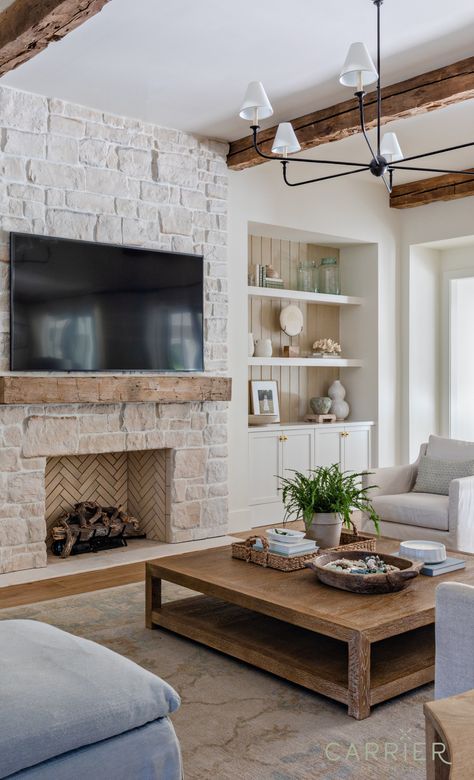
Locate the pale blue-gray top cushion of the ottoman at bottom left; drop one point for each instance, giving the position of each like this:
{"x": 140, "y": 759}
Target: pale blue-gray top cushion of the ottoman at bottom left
{"x": 60, "y": 692}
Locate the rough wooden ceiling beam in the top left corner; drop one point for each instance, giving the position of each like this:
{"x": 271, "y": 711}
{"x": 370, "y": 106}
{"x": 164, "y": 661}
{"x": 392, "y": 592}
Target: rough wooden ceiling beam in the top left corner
{"x": 29, "y": 26}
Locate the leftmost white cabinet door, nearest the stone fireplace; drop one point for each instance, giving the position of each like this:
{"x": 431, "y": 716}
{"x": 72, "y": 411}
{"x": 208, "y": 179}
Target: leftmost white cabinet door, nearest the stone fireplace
{"x": 264, "y": 466}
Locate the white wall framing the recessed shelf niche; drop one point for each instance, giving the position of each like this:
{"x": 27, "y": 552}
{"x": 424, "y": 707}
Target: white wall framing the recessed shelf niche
{"x": 358, "y": 210}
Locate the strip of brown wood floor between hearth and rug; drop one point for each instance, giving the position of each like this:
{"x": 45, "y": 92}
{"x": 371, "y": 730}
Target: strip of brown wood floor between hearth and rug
{"x": 70, "y": 585}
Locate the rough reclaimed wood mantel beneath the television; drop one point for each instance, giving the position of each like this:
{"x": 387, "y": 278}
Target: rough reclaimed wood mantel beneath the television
{"x": 106, "y": 389}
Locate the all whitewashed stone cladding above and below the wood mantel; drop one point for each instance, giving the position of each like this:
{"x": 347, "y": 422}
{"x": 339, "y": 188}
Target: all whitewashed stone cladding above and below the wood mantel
{"x": 75, "y": 172}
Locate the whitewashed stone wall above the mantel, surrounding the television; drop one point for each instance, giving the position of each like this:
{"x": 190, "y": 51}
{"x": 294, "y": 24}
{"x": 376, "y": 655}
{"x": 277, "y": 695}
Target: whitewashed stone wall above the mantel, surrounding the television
{"x": 71, "y": 171}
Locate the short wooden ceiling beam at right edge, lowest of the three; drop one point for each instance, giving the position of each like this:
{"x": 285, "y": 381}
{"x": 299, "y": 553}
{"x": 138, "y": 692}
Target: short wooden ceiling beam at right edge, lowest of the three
{"x": 451, "y": 186}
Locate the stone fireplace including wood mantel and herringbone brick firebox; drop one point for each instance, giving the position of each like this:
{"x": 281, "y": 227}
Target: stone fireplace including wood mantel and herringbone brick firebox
{"x": 166, "y": 459}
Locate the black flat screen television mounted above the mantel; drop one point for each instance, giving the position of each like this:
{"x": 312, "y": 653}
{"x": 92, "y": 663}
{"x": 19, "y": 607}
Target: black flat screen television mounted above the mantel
{"x": 80, "y": 306}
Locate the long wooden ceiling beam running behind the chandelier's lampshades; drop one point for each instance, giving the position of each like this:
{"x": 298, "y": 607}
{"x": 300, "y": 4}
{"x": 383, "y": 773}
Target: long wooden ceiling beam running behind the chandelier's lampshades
{"x": 427, "y": 92}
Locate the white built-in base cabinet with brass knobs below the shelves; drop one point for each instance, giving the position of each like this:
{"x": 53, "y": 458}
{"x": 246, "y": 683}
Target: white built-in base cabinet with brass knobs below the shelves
{"x": 277, "y": 450}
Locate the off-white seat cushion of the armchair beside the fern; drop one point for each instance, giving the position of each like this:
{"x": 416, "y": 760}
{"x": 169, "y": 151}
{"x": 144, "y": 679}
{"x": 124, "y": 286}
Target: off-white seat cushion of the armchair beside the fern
{"x": 418, "y": 509}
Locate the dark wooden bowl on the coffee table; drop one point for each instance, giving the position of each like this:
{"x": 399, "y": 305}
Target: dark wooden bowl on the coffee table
{"x": 366, "y": 583}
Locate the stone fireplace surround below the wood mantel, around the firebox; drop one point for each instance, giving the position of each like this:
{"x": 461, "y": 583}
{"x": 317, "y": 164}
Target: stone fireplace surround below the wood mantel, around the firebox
{"x": 194, "y": 433}
